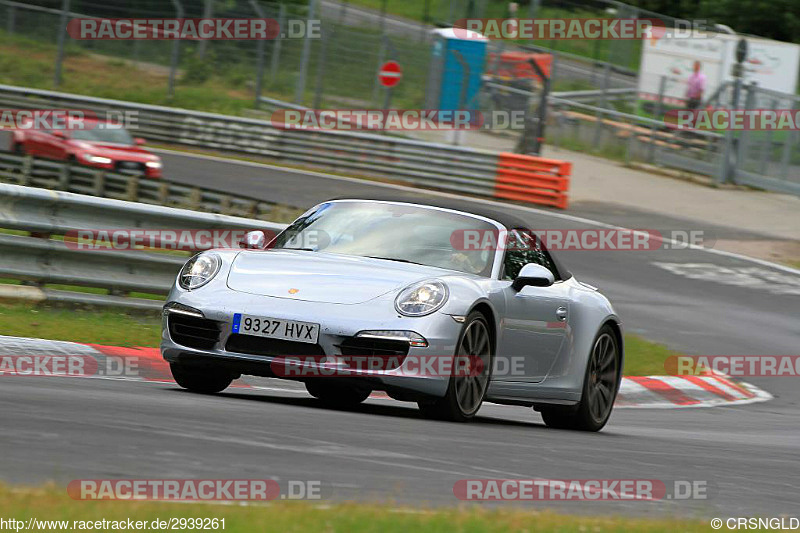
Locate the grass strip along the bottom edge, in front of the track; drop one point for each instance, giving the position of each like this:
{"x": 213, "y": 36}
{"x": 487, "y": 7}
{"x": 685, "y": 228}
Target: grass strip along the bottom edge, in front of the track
{"x": 52, "y": 503}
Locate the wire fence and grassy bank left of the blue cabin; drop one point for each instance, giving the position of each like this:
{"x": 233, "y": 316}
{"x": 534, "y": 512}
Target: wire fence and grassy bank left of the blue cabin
{"x": 334, "y": 67}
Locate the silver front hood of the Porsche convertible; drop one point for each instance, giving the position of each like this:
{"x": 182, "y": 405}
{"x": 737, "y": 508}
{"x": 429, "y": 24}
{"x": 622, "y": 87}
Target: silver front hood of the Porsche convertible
{"x": 322, "y": 277}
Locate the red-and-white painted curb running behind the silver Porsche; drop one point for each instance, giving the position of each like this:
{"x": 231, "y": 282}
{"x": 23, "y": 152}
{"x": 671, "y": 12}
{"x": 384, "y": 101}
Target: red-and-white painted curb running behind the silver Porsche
{"x": 653, "y": 392}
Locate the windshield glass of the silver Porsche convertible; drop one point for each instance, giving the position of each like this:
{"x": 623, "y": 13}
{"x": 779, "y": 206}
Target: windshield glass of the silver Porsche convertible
{"x": 404, "y": 233}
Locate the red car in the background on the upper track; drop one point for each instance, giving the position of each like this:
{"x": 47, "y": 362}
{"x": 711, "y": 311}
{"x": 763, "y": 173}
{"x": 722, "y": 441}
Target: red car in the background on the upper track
{"x": 98, "y": 145}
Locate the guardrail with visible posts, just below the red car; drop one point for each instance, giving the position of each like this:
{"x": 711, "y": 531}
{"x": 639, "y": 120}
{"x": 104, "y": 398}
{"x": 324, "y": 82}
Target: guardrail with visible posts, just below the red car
{"x": 34, "y": 172}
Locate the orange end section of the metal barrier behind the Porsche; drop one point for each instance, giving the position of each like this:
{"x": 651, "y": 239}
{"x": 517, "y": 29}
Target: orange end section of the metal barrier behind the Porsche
{"x": 532, "y": 179}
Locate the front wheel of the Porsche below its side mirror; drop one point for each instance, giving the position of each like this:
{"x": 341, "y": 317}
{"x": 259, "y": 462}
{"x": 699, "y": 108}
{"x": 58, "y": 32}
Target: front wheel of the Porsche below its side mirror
{"x": 465, "y": 393}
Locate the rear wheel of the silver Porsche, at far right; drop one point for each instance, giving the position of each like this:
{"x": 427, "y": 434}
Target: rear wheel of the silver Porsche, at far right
{"x": 600, "y": 385}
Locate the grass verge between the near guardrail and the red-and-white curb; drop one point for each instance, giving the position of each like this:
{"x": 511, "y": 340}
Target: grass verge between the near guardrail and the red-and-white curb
{"x": 642, "y": 357}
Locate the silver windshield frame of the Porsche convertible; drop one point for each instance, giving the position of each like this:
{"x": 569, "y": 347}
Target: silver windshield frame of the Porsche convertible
{"x": 495, "y": 260}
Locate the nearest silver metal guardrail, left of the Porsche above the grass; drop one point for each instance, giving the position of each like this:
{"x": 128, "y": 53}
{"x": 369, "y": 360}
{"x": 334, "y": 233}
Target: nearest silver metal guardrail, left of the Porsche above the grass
{"x": 42, "y": 259}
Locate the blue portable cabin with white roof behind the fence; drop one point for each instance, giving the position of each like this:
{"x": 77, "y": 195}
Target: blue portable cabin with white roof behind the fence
{"x": 447, "y": 75}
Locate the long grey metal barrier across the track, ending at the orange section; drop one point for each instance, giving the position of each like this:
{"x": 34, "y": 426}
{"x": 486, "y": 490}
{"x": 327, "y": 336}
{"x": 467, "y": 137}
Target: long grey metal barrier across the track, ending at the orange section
{"x": 438, "y": 166}
